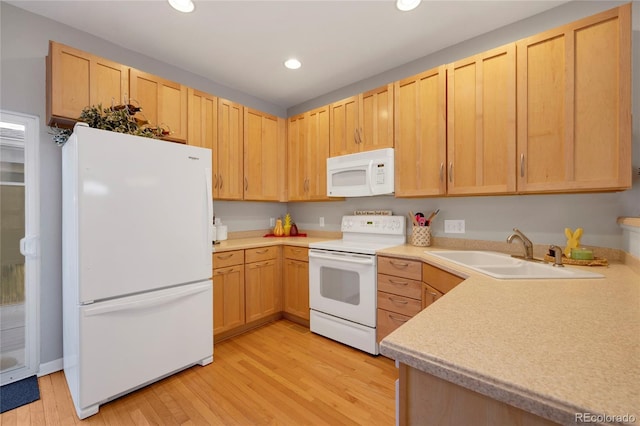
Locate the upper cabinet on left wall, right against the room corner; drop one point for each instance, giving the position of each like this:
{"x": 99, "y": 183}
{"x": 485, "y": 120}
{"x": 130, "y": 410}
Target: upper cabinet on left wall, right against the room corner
{"x": 264, "y": 156}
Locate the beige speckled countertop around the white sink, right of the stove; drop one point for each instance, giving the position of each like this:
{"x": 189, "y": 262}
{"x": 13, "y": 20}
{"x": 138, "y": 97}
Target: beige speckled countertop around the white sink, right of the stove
{"x": 551, "y": 347}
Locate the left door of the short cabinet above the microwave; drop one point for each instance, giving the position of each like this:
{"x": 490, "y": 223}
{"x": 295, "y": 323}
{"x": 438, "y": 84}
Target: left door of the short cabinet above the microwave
{"x": 345, "y": 129}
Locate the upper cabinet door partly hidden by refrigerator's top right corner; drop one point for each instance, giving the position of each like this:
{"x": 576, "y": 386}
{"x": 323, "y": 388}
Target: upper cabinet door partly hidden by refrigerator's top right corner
{"x": 203, "y": 127}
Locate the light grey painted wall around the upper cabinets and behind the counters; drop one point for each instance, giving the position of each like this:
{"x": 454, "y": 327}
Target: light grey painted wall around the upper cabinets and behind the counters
{"x": 23, "y": 46}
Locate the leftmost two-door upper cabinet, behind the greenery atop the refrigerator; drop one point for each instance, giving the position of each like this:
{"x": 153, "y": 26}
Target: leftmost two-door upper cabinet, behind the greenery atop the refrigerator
{"x": 76, "y": 79}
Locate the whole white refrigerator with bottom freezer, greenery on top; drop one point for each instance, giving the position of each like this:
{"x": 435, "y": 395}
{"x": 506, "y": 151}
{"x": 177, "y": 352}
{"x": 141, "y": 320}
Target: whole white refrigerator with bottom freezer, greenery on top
{"x": 137, "y": 290}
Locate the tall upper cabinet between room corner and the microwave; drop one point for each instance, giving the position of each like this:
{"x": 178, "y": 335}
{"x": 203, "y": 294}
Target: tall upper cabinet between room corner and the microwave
{"x": 308, "y": 150}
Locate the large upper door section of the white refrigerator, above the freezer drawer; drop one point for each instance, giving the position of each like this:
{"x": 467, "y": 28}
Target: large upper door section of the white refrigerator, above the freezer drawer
{"x": 139, "y": 214}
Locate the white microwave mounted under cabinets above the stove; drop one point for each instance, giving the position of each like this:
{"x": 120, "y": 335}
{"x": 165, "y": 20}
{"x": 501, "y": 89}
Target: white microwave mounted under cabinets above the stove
{"x": 362, "y": 174}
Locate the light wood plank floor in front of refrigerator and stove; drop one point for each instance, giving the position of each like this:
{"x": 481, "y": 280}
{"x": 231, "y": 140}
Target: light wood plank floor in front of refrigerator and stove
{"x": 279, "y": 374}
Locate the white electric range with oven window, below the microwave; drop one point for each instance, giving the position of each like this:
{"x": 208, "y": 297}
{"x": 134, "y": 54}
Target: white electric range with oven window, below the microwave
{"x": 343, "y": 279}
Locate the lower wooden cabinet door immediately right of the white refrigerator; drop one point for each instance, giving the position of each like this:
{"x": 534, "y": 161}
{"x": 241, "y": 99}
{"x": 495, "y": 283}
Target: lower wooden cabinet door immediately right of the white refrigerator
{"x": 228, "y": 298}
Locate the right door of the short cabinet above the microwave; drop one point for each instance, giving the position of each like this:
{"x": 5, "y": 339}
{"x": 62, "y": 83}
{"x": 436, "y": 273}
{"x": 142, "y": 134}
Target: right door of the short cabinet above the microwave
{"x": 376, "y": 119}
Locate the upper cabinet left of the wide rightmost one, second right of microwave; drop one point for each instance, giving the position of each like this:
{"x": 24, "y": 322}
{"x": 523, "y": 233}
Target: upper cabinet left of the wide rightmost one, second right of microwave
{"x": 481, "y": 122}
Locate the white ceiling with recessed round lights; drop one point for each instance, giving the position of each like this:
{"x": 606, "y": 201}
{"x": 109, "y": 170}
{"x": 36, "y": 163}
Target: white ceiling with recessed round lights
{"x": 242, "y": 44}
